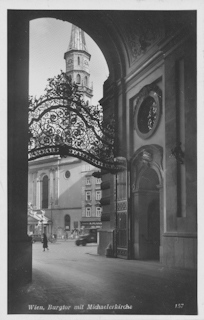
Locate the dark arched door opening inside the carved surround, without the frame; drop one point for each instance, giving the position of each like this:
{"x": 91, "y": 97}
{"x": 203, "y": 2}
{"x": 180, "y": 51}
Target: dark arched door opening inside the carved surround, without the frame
{"x": 146, "y": 216}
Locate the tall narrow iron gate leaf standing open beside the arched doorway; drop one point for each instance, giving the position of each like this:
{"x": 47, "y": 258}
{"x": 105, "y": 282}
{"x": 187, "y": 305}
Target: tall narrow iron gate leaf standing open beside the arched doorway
{"x": 121, "y": 208}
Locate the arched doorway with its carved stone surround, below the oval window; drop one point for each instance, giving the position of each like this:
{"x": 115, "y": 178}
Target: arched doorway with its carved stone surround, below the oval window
{"x": 147, "y": 204}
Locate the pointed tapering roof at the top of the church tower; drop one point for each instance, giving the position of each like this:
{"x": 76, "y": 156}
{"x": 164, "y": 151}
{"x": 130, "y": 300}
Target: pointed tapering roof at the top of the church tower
{"x": 77, "y": 39}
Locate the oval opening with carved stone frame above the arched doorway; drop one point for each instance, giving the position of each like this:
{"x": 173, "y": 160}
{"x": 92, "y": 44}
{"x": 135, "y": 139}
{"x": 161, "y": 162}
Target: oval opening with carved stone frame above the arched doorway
{"x": 147, "y": 111}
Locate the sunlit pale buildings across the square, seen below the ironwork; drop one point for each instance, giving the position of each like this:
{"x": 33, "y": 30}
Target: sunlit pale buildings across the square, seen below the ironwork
{"x": 67, "y": 194}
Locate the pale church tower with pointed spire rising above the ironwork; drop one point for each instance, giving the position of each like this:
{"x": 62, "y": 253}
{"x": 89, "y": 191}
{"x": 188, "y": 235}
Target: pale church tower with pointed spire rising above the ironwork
{"x": 77, "y": 60}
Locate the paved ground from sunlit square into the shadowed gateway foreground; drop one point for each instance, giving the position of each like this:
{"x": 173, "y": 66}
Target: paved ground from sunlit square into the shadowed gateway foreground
{"x": 75, "y": 280}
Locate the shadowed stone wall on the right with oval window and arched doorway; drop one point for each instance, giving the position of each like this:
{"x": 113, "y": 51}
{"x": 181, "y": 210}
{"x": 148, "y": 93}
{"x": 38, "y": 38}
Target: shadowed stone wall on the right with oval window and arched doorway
{"x": 150, "y": 210}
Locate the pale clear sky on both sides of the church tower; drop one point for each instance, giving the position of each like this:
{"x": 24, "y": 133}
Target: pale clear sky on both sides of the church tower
{"x": 49, "y": 39}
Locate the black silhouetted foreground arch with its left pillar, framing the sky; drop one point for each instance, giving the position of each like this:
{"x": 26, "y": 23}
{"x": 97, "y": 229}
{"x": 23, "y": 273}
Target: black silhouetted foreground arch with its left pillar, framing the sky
{"x": 20, "y": 246}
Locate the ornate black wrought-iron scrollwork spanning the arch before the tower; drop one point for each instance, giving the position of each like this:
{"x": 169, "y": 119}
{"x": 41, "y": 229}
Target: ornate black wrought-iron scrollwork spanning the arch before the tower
{"x": 61, "y": 123}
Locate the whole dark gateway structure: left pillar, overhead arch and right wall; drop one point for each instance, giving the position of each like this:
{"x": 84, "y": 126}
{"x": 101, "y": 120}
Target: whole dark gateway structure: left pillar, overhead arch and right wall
{"x": 149, "y": 210}
